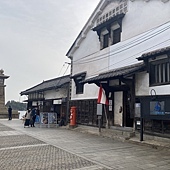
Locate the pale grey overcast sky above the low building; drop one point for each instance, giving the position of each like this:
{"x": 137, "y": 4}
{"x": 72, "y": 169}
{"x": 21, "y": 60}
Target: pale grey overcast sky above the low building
{"x": 35, "y": 36}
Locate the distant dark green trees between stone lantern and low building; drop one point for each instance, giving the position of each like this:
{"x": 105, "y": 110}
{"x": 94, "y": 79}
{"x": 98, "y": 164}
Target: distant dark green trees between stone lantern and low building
{"x": 17, "y": 105}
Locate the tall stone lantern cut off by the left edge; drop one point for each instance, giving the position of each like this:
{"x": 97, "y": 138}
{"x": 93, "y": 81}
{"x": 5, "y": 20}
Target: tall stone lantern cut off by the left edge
{"x": 3, "y": 109}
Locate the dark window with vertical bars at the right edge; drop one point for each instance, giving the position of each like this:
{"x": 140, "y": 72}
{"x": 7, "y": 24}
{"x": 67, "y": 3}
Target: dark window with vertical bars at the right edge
{"x": 159, "y": 72}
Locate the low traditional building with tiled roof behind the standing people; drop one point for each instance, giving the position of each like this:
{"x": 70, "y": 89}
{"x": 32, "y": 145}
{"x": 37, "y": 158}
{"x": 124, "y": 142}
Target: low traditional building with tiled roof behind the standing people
{"x": 50, "y": 95}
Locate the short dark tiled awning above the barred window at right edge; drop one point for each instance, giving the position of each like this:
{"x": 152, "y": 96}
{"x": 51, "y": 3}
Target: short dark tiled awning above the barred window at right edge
{"x": 155, "y": 52}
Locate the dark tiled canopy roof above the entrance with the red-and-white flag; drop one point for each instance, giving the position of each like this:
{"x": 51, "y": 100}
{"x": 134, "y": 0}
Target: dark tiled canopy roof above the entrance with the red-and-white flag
{"x": 123, "y": 71}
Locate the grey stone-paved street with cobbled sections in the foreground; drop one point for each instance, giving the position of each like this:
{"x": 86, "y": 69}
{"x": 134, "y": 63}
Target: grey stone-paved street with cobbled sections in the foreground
{"x": 62, "y": 149}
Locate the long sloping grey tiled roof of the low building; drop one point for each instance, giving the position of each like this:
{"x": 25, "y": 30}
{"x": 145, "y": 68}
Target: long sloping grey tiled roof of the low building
{"x": 47, "y": 85}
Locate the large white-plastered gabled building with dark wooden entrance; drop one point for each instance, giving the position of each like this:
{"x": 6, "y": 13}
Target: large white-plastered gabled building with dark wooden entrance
{"x": 106, "y": 51}
